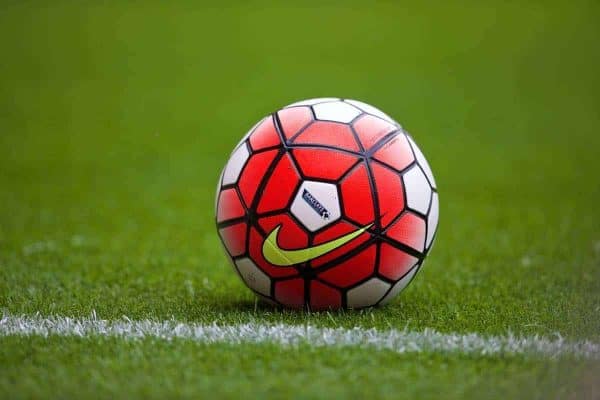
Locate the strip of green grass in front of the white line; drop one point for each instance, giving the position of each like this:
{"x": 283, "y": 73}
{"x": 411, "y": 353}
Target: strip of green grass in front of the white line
{"x": 115, "y": 368}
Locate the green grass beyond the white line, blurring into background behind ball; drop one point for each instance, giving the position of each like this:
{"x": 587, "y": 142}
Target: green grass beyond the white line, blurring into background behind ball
{"x": 116, "y": 118}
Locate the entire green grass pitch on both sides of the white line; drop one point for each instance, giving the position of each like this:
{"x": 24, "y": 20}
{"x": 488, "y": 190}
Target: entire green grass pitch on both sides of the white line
{"x": 116, "y": 118}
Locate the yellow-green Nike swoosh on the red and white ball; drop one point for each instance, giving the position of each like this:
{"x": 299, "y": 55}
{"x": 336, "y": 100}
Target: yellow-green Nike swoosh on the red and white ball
{"x": 284, "y": 258}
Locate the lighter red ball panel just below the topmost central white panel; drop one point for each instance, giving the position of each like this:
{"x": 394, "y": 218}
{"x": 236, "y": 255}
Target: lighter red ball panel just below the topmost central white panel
{"x": 328, "y": 133}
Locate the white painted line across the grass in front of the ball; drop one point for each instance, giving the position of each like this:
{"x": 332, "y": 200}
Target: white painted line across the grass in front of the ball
{"x": 401, "y": 341}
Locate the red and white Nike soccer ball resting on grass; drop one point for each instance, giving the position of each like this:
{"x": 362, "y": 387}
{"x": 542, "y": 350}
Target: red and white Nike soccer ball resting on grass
{"x": 327, "y": 203}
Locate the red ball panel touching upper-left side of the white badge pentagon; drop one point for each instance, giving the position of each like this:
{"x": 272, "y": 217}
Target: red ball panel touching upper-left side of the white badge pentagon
{"x": 280, "y": 187}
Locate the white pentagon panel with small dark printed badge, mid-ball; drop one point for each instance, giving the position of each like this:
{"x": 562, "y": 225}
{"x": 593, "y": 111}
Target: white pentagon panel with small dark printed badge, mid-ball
{"x": 316, "y": 204}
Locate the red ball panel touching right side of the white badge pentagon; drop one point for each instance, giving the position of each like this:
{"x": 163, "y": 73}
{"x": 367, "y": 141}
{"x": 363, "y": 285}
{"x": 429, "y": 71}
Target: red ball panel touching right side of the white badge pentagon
{"x": 357, "y": 198}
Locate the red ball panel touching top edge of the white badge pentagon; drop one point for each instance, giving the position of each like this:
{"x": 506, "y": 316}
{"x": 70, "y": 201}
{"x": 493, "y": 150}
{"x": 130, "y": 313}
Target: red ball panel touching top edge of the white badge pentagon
{"x": 323, "y": 163}
